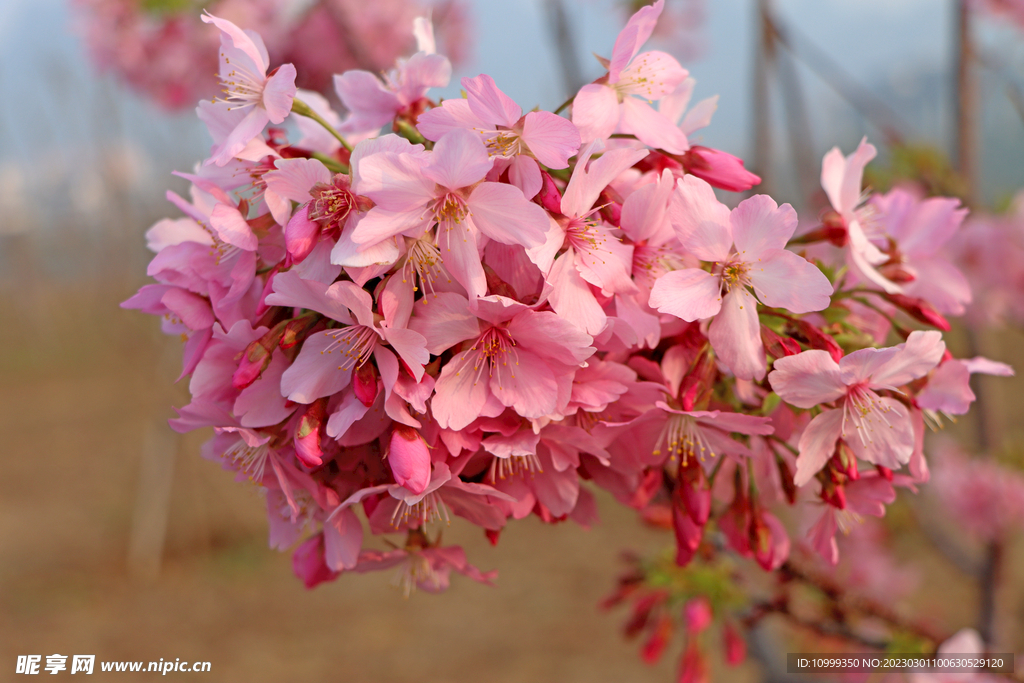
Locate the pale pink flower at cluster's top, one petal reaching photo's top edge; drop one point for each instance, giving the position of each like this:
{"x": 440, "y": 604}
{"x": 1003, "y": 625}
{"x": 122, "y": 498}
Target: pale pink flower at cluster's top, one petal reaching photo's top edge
{"x": 618, "y": 103}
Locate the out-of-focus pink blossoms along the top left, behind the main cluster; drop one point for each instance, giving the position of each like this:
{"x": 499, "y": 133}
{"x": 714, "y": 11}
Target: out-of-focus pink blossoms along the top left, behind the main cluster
{"x": 160, "y": 48}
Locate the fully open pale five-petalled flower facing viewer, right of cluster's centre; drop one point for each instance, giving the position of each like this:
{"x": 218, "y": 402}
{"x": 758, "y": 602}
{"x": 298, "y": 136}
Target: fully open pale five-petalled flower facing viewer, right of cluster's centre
{"x": 747, "y": 248}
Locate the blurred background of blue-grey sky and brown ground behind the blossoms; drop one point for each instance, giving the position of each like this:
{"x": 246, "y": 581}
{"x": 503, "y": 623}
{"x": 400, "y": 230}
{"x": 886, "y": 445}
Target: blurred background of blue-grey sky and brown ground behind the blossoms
{"x": 117, "y": 540}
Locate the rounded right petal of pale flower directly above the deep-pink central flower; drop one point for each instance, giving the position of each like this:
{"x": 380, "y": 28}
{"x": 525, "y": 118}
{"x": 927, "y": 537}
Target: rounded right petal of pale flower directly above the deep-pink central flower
{"x": 502, "y": 214}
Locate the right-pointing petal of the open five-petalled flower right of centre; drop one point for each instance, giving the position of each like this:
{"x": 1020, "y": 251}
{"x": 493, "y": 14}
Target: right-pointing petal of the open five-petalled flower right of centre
{"x": 782, "y": 279}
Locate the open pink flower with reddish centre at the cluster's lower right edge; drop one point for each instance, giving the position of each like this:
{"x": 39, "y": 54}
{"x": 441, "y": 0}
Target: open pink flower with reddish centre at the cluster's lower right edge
{"x": 878, "y": 430}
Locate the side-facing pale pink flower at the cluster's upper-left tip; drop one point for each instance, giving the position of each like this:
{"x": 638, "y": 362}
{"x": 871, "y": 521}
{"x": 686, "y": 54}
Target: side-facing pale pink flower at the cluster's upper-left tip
{"x": 244, "y": 64}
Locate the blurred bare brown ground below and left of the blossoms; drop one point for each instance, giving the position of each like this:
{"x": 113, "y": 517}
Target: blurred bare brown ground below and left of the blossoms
{"x": 84, "y": 386}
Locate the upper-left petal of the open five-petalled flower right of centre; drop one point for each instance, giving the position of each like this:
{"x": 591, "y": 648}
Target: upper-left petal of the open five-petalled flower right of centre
{"x": 701, "y": 222}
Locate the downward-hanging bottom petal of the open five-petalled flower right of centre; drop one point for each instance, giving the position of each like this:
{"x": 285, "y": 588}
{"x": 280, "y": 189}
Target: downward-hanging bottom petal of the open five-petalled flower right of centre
{"x": 736, "y": 336}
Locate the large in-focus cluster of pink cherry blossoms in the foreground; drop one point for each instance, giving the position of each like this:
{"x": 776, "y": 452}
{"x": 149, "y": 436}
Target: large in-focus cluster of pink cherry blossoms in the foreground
{"x": 480, "y": 311}
